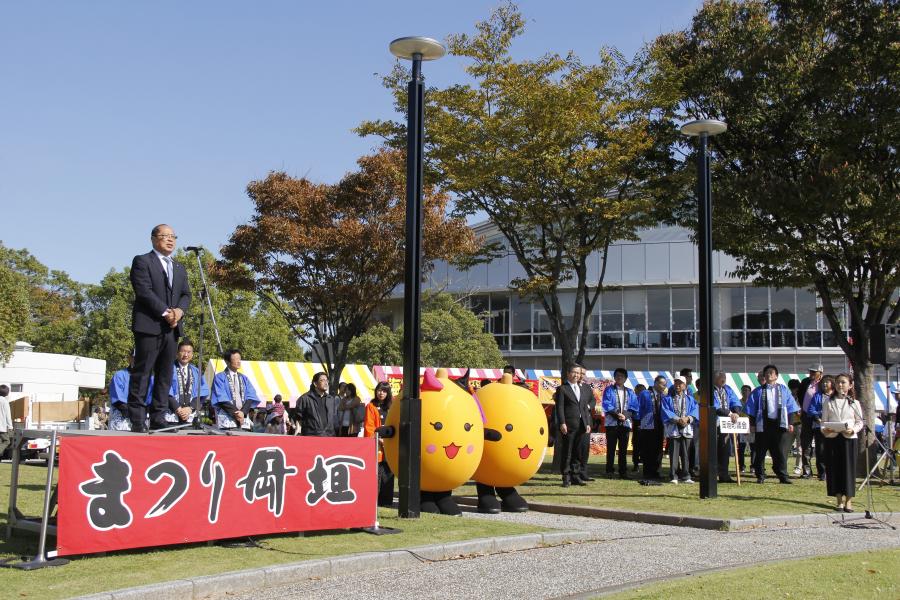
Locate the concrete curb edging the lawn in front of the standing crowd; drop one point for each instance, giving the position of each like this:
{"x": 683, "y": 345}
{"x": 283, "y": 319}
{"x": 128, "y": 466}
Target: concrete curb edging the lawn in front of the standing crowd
{"x": 801, "y": 520}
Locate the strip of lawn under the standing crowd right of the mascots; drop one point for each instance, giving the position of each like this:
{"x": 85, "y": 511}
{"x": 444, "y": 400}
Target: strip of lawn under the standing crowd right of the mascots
{"x": 749, "y": 500}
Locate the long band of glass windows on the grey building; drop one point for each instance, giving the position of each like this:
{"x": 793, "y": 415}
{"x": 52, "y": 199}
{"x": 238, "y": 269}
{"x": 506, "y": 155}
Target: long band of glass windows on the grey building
{"x": 655, "y": 318}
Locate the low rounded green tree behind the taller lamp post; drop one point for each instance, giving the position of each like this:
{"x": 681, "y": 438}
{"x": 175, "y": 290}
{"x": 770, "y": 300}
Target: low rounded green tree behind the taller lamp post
{"x": 452, "y": 336}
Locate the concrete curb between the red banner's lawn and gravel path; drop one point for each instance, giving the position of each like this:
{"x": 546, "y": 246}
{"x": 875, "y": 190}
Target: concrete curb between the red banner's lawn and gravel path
{"x": 223, "y": 584}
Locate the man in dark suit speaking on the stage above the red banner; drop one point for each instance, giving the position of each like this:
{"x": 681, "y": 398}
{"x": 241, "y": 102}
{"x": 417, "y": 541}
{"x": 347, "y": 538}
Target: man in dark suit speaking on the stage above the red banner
{"x": 161, "y": 297}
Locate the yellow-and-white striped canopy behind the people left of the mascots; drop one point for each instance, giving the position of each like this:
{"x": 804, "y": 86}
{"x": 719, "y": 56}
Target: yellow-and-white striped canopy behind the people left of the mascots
{"x": 292, "y": 380}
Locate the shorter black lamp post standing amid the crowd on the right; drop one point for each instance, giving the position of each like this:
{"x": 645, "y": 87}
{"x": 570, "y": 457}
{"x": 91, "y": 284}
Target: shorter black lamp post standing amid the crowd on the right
{"x": 704, "y": 129}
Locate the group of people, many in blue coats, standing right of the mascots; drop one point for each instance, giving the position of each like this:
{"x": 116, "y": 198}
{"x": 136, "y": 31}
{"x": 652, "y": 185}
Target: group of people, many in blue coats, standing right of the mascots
{"x": 818, "y": 417}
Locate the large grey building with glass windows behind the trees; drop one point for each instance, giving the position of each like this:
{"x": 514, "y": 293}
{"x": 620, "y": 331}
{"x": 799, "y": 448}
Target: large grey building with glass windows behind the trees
{"x": 646, "y": 317}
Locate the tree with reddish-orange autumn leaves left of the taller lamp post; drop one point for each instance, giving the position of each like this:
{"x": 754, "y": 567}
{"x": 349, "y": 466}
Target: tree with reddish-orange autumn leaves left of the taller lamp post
{"x": 326, "y": 256}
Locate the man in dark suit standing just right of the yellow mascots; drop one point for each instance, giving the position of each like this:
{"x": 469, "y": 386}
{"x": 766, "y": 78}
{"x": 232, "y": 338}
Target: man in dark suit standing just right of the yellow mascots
{"x": 573, "y": 419}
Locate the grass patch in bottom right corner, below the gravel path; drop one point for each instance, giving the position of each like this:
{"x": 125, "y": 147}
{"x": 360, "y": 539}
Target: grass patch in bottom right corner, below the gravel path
{"x": 872, "y": 574}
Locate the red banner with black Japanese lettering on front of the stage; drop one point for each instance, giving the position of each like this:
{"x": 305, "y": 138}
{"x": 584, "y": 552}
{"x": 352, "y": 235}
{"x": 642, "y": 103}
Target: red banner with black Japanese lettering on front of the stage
{"x": 118, "y": 492}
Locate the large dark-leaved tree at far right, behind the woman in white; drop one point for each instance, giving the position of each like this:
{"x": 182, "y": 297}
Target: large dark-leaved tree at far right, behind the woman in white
{"x": 806, "y": 177}
